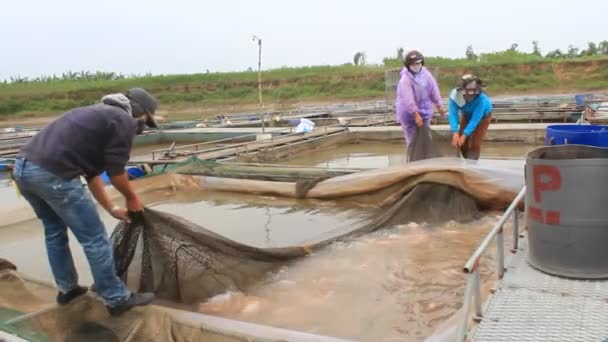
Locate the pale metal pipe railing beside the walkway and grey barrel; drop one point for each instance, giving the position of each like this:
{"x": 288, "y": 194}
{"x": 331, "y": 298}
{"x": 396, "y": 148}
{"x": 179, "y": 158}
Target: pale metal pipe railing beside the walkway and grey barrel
{"x": 471, "y": 268}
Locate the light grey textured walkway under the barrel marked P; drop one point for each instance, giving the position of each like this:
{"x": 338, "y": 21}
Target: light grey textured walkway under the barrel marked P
{"x": 529, "y": 305}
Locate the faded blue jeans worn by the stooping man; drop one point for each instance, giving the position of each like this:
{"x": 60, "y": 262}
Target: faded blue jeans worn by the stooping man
{"x": 60, "y": 204}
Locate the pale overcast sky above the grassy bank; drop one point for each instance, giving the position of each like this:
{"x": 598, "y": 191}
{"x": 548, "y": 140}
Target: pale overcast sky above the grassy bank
{"x": 188, "y": 36}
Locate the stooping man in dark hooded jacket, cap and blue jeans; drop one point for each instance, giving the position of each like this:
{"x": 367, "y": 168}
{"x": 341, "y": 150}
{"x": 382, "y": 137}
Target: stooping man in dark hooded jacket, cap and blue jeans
{"x": 85, "y": 141}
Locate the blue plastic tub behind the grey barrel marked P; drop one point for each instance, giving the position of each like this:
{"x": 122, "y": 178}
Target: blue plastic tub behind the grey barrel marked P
{"x": 591, "y": 135}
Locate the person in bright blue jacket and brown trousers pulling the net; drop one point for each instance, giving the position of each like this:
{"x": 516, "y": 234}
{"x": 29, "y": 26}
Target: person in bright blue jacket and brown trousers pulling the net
{"x": 469, "y": 129}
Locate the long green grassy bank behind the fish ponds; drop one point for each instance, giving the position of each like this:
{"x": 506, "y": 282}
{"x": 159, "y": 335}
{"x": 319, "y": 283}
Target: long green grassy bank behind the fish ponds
{"x": 504, "y": 75}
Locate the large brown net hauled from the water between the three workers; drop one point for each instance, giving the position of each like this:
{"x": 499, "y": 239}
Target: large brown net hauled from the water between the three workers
{"x": 184, "y": 262}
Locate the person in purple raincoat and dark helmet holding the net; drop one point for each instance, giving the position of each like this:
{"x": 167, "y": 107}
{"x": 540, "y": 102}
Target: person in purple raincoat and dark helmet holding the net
{"x": 417, "y": 92}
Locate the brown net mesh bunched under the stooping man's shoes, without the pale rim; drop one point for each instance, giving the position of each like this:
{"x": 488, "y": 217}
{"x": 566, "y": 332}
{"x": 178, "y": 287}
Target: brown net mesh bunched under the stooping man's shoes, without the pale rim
{"x": 27, "y": 312}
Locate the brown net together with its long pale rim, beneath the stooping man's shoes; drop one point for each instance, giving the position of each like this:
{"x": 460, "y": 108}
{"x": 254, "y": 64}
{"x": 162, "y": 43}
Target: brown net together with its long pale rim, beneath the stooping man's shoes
{"x": 28, "y": 312}
